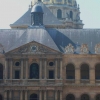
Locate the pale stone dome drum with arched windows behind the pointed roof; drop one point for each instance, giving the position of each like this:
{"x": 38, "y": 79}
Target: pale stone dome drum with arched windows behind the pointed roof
{"x": 67, "y": 12}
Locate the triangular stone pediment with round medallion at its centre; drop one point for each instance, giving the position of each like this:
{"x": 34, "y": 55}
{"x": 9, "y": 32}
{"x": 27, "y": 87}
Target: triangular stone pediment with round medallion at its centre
{"x": 34, "y": 48}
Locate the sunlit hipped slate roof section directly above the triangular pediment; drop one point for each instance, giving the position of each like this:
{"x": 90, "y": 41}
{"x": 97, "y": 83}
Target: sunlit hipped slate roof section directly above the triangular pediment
{"x": 39, "y": 35}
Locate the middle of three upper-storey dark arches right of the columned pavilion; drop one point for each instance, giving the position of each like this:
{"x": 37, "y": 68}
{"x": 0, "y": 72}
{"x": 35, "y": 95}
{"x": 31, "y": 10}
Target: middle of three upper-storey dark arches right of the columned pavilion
{"x": 84, "y": 71}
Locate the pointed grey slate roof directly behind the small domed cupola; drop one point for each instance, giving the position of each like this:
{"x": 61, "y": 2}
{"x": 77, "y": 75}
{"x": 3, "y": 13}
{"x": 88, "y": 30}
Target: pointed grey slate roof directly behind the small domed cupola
{"x": 48, "y": 17}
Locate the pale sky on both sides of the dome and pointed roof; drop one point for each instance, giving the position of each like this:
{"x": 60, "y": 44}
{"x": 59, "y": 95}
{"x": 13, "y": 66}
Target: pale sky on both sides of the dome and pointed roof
{"x": 11, "y": 10}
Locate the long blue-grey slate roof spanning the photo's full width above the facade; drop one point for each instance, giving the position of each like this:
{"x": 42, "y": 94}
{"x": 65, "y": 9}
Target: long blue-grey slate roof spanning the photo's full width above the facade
{"x": 56, "y": 39}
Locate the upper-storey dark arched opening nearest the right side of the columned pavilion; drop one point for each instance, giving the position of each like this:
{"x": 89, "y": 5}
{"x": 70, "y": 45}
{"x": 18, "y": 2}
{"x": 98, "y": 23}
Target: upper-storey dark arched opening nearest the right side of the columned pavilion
{"x": 70, "y": 71}
